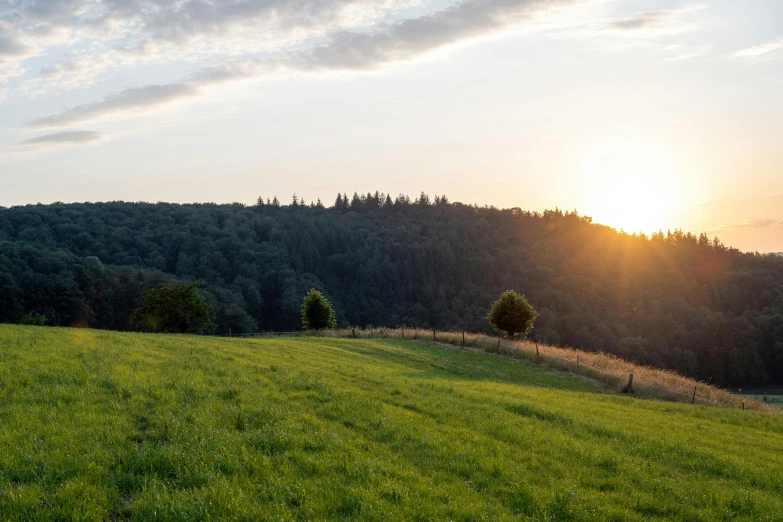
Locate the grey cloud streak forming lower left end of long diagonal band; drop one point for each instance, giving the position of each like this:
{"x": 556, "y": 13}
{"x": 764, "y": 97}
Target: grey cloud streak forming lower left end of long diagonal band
{"x": 127, "y": 101}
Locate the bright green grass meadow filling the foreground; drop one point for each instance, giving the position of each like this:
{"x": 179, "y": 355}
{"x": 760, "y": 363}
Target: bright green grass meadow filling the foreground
{"x": 106, "y": 426}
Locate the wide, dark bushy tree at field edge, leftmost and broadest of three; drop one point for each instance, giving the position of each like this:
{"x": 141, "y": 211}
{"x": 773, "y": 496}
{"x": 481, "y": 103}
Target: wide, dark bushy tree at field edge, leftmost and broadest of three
{"x": 175, "y": 308}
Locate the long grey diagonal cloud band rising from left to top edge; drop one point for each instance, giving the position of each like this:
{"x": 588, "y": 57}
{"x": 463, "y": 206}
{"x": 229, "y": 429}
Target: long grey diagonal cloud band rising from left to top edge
{"x": 345, "y": 50}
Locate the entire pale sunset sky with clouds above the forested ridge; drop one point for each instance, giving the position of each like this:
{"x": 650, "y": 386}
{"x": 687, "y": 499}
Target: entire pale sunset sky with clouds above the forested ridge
{"x": 644, "y": 115}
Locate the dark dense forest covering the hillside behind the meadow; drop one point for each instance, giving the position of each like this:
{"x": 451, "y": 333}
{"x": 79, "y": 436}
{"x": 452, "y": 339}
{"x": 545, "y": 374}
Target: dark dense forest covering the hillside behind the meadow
{"x": 672, "y": 300}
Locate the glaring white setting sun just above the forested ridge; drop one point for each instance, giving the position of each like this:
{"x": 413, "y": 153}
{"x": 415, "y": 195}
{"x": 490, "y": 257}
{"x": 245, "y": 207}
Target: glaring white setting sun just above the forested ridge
{"x": 631, "y": 186}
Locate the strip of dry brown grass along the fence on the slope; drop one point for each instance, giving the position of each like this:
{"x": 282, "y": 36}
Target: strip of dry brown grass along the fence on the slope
{"x": 609, "y": 370}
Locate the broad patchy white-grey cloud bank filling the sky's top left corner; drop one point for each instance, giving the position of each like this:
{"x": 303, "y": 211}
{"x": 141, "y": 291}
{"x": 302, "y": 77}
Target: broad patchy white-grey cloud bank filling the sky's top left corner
{"x": 100, "y": 35}
